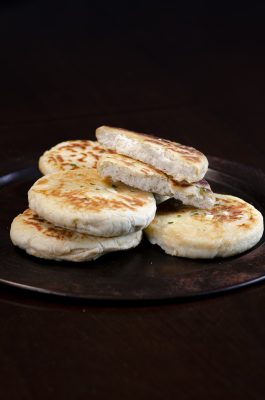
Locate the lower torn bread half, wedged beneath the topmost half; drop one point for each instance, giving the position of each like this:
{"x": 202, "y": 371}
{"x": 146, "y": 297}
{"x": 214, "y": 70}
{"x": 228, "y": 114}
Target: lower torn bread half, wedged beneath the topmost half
{"x": 144, "y": 177}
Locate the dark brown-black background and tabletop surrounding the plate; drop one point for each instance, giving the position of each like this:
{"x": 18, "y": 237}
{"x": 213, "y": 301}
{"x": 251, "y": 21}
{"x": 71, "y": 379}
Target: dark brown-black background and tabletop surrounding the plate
{"x": 188, "y": 71}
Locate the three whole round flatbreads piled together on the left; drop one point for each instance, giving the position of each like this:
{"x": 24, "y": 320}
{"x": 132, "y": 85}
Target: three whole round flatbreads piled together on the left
{"x": 74, "y": 214}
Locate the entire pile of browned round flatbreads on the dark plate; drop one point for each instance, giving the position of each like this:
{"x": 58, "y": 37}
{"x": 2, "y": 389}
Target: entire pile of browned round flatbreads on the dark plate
{"x": 98, "y": 196}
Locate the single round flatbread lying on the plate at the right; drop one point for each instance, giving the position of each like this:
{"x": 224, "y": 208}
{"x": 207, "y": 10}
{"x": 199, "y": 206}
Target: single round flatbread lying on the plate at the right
{"x": 231, "y": 227}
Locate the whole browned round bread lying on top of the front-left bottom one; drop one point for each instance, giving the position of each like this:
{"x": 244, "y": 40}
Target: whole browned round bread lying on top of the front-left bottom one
{"x": 83, "y": 201}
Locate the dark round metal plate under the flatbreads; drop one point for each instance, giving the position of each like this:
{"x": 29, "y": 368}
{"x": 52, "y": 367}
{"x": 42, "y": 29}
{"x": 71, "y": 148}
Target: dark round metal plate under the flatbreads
{"x": 144, "y": 273}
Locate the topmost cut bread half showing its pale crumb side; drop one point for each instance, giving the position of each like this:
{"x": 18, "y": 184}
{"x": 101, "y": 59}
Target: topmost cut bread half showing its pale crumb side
{"x": 180, "y": 162}
